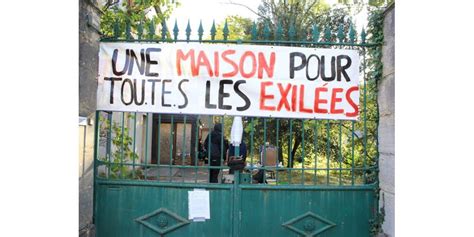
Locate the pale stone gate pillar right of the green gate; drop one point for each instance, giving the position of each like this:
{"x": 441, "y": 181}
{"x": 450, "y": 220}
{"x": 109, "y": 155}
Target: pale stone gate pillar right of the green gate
{"x": 386, "y": 100}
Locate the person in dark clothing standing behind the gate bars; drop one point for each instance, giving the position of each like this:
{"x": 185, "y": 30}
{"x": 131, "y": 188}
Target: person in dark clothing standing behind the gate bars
{"x": 215, "y": 151}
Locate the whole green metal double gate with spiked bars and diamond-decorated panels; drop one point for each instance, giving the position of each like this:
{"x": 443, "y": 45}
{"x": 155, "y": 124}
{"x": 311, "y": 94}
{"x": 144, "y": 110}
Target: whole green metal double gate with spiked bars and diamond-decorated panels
{"x": 146, "y": 163}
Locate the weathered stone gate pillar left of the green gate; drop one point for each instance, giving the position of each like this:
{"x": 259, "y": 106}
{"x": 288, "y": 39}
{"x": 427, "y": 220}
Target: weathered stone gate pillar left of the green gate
{"x": 89, "y": 18}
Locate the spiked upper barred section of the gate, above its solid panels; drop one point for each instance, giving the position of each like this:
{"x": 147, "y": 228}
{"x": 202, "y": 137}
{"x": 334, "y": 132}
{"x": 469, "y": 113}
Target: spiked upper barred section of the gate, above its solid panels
{"x": 168, "y": 147}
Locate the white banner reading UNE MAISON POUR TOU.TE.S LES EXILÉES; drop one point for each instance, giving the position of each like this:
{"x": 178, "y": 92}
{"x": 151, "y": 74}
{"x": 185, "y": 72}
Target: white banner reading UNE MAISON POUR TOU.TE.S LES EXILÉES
{"x": 218, "y": 79}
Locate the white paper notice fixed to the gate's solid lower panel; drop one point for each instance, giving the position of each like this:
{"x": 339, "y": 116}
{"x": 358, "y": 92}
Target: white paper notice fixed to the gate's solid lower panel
{"x": 198, "y": 203}
